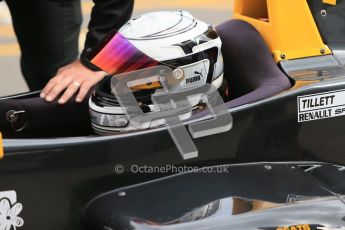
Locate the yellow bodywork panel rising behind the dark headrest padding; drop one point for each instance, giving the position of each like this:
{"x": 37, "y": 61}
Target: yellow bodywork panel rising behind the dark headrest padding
{"x": 287, "y": 26}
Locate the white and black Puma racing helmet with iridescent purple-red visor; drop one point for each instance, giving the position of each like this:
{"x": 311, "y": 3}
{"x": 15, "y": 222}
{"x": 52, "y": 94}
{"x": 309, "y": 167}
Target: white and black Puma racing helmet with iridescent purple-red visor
{"x": 175, "y": 40}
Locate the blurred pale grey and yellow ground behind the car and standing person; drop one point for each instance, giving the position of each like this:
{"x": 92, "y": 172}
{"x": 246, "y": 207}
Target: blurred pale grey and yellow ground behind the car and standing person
{"x": 11, "y": 80}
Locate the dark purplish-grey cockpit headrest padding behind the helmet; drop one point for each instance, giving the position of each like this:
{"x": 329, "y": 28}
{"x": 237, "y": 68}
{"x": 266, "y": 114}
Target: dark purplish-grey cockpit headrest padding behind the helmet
{"x": 250, "y": 69}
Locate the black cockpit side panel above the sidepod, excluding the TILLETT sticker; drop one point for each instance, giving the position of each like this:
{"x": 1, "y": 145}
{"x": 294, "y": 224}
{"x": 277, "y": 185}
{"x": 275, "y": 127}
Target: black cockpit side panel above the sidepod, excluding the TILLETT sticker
{"x": 62, "y": 175}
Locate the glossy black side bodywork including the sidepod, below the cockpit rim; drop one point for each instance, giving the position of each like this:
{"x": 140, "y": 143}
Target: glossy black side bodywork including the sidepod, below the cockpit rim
{"x": 76, "y": 183}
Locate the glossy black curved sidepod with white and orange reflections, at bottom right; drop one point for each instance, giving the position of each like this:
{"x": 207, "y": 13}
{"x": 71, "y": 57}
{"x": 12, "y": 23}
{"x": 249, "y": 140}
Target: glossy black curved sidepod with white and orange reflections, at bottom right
{"x": 224, "y": 197}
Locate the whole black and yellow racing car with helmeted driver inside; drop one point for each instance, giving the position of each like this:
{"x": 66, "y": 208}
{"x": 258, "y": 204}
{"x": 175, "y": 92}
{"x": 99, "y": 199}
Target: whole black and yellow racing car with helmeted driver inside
{"x": 281, "y": 83}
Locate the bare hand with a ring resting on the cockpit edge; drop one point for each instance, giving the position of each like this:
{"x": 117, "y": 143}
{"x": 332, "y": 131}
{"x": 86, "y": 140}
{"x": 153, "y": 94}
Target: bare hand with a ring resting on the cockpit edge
{"x": 73, "y": 78}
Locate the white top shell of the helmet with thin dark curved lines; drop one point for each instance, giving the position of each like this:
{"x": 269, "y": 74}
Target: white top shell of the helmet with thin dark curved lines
{"x": 160, "y": 41}
